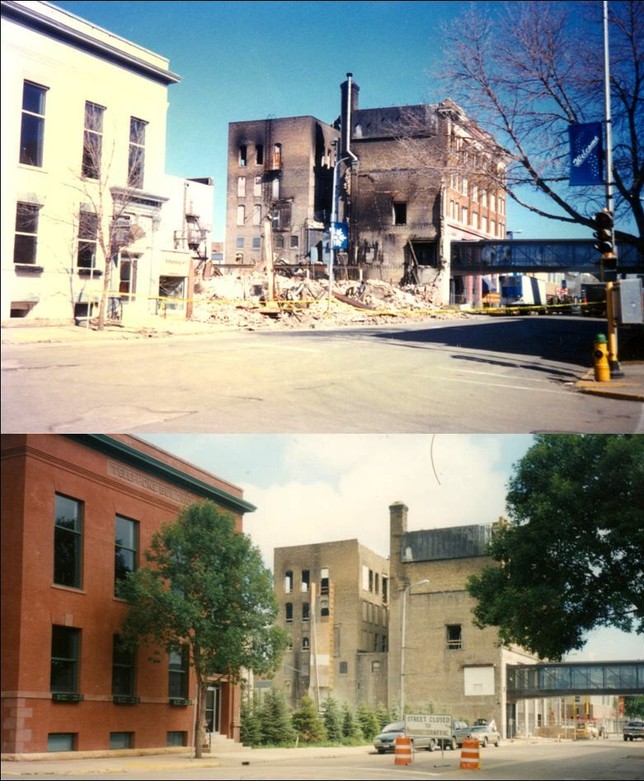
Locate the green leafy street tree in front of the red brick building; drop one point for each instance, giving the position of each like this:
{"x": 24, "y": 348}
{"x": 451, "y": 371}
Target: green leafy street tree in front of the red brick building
{"x": 205, "y": 590}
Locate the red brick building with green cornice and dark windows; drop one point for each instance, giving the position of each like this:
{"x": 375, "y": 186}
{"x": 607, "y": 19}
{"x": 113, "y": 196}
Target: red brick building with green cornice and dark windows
{"x": 78, "y": 512}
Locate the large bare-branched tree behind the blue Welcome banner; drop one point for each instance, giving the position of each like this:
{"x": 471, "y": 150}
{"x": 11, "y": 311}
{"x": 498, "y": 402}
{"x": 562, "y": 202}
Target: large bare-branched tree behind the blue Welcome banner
{"x": 526, "y": 72}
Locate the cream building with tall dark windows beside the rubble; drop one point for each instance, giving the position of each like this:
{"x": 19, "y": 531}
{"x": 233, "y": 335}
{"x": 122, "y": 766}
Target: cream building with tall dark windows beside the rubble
{"x": 83, "y": 179}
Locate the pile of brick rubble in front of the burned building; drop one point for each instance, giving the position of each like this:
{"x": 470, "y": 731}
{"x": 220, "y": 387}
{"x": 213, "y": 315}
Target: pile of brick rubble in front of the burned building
{"x": 244, "y": 301}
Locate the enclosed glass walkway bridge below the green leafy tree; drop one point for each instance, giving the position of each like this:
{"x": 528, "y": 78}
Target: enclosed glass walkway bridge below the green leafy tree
{"x": 574, "y": 678}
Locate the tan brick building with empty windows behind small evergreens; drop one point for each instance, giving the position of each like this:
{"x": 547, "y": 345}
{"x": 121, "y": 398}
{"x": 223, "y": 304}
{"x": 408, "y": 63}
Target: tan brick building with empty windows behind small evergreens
{"x": 334, "y": 603}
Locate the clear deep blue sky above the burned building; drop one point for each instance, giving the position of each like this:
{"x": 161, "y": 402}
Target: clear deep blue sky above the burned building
{"x": 253, "y": 60}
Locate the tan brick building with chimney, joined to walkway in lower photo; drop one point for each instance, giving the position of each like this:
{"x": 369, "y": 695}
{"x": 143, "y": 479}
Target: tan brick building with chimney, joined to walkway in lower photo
{"x": 447, "y": 663}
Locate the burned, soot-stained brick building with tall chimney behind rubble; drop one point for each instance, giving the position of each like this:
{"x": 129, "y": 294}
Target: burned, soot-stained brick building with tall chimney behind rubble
{"x": 403, "y": 181}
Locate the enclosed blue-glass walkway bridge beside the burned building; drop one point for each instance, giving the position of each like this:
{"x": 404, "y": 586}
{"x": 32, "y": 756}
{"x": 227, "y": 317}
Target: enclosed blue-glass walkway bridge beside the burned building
{"x": 537, "y": 255}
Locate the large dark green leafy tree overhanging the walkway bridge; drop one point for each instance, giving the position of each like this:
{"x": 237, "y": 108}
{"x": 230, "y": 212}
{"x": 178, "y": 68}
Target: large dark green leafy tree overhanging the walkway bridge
{"x": 570, "y": 559}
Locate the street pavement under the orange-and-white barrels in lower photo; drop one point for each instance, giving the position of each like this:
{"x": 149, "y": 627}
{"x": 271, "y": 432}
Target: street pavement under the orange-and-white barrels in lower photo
{"x": 523, "y": 760}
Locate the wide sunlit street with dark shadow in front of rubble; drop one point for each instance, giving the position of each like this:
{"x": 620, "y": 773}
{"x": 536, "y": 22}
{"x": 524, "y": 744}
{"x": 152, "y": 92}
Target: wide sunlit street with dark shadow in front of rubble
{"x": 506, "y": 375}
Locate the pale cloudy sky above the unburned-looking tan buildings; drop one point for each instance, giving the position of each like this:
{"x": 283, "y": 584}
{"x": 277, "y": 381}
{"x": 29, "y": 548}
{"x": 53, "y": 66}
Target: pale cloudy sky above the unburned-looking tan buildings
{"x": 321, "y": 488}
